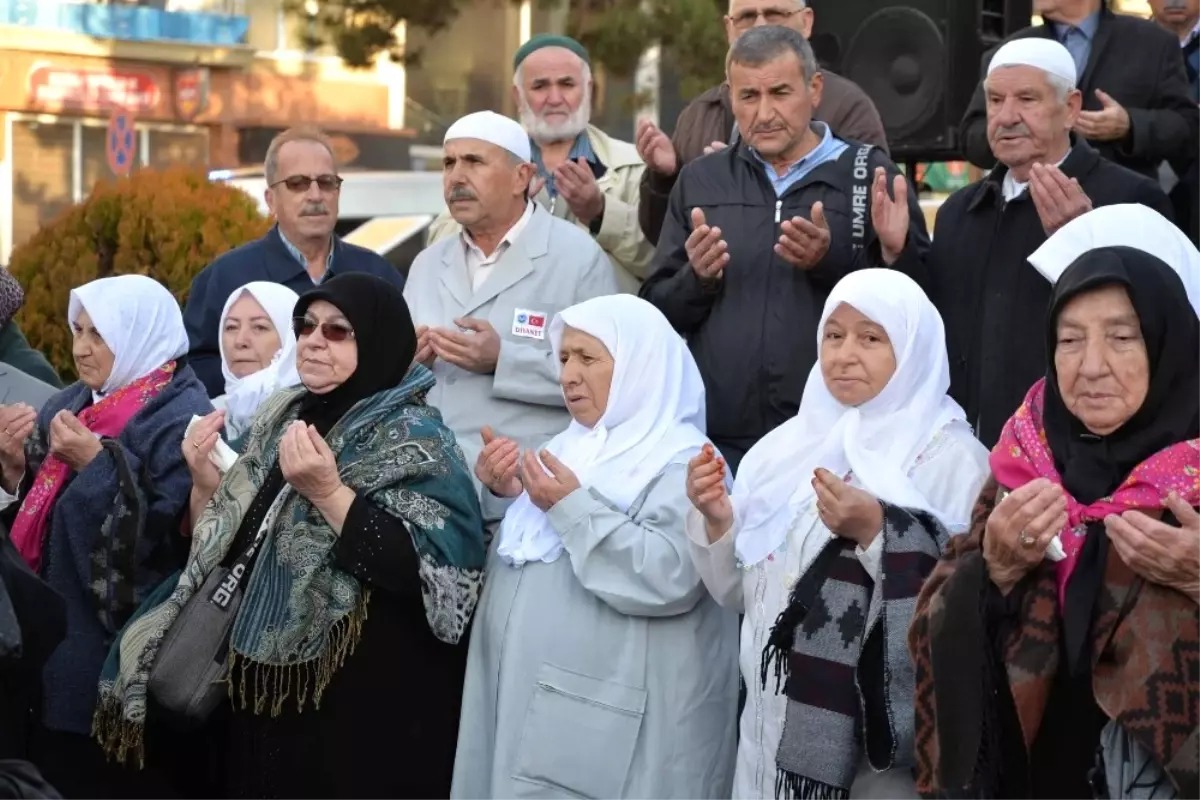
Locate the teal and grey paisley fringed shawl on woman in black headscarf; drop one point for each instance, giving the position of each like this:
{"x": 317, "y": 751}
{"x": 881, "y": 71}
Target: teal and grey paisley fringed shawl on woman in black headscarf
{"x": 302, "y": 616}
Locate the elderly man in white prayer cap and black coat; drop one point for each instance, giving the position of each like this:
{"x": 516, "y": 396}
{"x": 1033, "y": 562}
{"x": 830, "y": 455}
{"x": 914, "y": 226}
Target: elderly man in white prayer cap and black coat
{"x": 991, "y": 298}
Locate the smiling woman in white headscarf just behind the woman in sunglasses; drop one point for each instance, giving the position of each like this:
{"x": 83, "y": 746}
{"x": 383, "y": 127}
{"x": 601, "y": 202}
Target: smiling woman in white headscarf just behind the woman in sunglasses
{"x": 259, "y": 352}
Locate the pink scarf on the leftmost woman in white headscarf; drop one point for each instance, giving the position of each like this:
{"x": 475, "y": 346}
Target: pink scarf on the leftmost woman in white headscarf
{"x": 105, "y": 419}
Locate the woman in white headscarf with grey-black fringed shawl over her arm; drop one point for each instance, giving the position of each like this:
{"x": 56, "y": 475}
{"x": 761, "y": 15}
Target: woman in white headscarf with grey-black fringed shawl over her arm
{"x": 859, "y": 492}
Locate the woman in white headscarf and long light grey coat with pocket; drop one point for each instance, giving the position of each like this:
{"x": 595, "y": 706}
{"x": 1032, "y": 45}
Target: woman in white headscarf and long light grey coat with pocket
{"x": 599, "y": 666}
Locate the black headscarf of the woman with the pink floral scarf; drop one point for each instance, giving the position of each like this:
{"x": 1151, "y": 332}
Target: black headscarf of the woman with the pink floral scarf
{"x": 1095, "y": 466}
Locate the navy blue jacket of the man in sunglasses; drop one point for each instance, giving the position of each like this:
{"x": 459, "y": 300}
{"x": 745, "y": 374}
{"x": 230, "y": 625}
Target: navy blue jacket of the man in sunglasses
{"x": 266, "y": 260}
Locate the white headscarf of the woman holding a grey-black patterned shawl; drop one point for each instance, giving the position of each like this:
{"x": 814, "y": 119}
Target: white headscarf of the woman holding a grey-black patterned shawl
{"x": 879, "y": 442}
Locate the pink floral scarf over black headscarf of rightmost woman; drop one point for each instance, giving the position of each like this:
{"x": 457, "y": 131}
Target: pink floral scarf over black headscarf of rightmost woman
{"x": 1023, "y": 455}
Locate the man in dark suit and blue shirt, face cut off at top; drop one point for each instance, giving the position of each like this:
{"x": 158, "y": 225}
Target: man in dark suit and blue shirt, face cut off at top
{"x": 1138, "y": 111}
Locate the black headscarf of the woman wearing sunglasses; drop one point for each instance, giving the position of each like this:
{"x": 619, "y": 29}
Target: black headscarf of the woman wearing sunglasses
{"x": 383, "y": 332}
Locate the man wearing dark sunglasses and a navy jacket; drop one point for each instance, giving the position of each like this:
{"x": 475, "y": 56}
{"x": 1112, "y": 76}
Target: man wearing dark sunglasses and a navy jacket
{"x": 301, "y": 251}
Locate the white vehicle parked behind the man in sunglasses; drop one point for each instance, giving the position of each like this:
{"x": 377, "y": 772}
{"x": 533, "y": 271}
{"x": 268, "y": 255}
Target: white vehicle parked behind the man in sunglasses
{"x": 386, "y": 212}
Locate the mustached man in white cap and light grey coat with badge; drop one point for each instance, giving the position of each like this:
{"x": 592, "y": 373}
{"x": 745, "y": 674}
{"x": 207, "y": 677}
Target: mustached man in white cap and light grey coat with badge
{"x": 484, "y": 298}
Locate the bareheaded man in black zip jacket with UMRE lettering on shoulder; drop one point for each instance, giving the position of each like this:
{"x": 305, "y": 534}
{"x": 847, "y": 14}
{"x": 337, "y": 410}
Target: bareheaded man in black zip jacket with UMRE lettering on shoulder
{"x": 758, "y": 234}
